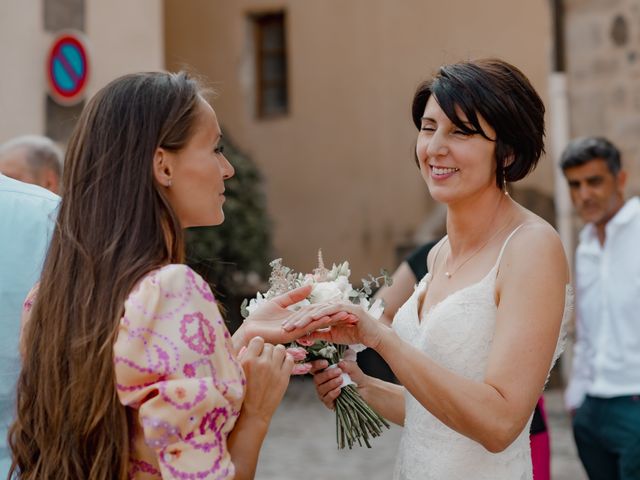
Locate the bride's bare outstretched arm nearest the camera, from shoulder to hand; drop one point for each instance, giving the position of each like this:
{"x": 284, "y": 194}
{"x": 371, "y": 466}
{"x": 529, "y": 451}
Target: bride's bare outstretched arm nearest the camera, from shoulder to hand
{"x": 531, "y": 290}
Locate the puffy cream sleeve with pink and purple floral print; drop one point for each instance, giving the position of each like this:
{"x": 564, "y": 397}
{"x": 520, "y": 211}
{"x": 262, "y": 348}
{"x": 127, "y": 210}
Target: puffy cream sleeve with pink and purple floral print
{"x": 177, "y": 374}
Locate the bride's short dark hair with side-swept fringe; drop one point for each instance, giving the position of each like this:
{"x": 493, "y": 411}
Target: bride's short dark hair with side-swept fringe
{"x": 504, "y": 97}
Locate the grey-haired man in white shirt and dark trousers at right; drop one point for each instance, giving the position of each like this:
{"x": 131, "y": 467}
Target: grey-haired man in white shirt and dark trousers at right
{"x": 604, "y": 386}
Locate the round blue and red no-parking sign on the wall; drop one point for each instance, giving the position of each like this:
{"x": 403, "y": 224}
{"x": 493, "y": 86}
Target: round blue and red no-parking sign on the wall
{"x": 68, "y": 68}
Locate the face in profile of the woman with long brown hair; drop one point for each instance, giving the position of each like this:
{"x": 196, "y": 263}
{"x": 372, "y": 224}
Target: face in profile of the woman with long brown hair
{"x": 199, "y": 169}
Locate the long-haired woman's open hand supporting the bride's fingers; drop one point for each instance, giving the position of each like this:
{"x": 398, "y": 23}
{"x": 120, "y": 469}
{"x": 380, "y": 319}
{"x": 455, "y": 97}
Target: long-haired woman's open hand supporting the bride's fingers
{"x": 267, "y": 319}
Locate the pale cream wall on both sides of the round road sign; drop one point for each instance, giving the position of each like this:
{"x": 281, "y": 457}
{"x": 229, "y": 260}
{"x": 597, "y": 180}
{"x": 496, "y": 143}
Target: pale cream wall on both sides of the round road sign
{"x": 122, "y": 37}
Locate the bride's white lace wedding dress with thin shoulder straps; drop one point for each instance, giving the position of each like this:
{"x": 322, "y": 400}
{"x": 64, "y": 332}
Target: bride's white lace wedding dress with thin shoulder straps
{"x": 458, "y": 335}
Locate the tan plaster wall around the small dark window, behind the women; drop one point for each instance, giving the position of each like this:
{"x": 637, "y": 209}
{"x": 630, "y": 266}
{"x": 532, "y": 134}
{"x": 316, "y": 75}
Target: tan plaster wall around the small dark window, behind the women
{"x": 339, "y": 167}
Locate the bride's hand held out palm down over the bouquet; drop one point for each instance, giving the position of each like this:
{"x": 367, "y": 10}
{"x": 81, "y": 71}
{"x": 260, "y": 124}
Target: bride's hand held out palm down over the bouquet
{"x": 354, "y": 325}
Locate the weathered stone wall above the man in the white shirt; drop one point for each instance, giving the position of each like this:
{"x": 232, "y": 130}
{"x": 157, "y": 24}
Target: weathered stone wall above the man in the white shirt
{"x": 603, "y": 66}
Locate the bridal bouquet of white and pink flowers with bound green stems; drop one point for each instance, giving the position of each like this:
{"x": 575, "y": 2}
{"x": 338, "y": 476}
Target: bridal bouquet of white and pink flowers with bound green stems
{"x": 356, "y": 421}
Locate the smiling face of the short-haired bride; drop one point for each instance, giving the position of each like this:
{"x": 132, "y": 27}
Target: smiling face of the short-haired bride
{"x": 454, "y": 164}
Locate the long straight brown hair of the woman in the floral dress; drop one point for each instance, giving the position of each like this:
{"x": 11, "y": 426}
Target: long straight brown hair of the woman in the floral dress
{"x": 114, "y": 226}
